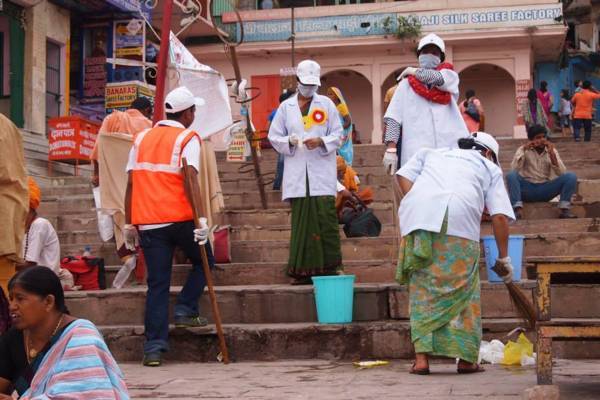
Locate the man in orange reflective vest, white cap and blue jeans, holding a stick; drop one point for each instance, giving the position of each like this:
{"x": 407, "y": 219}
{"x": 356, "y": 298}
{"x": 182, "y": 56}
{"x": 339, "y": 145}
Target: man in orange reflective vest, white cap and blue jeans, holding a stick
{"x": 158, "y": 205}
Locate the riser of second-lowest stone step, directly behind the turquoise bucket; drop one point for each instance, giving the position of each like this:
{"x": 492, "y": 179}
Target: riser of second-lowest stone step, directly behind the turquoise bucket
{"x": 264, "y": 304}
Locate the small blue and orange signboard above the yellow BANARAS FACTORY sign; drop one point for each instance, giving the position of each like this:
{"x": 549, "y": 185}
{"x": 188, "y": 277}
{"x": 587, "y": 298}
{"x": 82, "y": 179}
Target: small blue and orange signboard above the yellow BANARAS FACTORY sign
{"x": 130, "y": 39}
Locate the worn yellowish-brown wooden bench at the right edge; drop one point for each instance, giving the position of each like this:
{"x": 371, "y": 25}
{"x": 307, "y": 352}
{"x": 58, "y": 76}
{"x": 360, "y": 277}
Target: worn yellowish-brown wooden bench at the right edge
{"x": 549, "y": 329}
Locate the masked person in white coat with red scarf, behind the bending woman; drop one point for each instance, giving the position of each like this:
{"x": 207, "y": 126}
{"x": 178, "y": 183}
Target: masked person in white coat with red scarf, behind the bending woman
{"x": 423, "y": 112}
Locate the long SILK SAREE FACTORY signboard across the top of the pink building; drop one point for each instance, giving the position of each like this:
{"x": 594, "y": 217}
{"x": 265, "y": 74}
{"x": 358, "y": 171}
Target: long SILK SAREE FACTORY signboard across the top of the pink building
{"x": 373, "y": 24}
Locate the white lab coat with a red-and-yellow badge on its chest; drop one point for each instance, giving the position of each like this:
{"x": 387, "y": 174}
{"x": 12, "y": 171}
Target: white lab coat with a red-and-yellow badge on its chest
{"x": 319, "y": 164}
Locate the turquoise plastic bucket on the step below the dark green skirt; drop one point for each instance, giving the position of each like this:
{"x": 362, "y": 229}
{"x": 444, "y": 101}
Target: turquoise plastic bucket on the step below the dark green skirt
{"x": 334, "y": 296}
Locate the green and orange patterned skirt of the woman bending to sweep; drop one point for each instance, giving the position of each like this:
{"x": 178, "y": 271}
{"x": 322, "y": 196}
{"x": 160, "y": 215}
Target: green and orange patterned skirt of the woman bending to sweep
{"x": 442, "y": 273}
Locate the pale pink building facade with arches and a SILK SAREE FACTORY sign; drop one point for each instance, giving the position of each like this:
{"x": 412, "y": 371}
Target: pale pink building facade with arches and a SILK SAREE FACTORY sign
{"x": 493, "y": 46}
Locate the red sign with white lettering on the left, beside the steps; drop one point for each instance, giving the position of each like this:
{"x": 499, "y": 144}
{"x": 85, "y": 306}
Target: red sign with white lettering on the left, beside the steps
{"x": 71, "y": 138}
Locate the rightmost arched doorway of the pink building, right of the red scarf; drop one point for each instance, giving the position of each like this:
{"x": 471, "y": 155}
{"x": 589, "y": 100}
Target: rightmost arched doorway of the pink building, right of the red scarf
{"x": 495, "y": 88}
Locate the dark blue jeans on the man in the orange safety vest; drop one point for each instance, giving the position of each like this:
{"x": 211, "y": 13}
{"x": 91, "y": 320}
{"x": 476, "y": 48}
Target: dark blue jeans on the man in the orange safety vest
{"x": 159, "y": 246}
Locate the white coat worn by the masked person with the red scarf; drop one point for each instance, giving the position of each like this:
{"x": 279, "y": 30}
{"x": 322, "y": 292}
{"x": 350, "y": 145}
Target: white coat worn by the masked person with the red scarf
{"x": 426, "y": 124}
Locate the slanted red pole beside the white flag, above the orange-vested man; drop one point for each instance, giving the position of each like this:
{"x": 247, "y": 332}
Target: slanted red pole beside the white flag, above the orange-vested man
{"x": 163, "y": 56}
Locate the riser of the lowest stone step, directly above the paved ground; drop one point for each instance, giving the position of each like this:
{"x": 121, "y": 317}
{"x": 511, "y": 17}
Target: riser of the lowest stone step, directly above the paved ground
{"x": 269, "y": 342}
